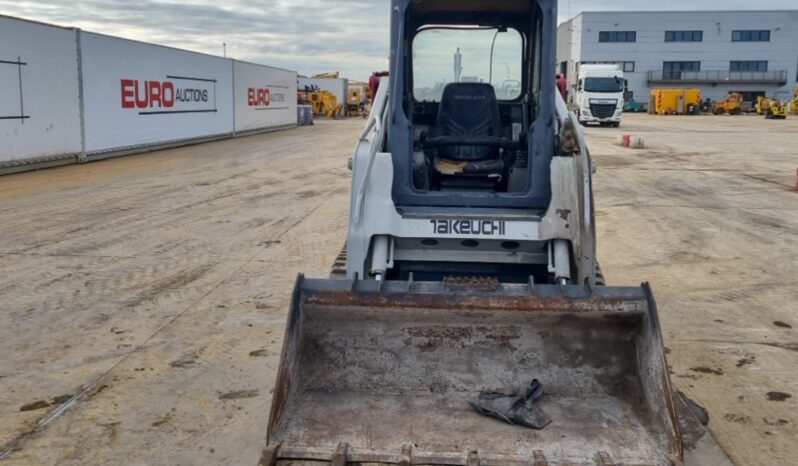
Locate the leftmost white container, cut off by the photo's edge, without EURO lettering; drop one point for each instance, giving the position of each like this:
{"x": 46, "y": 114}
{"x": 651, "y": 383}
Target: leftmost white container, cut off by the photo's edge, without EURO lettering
{"x": 39, "y": 92}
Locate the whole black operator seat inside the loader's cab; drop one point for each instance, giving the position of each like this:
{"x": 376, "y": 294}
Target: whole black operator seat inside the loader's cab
{"x": 467, "y": 138}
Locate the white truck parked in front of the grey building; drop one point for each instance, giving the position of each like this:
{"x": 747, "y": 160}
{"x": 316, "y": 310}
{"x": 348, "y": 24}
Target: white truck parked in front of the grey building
{"x": 599, "y": 95}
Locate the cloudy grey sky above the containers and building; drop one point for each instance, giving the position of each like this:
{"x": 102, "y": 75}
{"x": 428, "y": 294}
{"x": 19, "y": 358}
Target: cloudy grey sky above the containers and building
{"x": 310, "y": 36}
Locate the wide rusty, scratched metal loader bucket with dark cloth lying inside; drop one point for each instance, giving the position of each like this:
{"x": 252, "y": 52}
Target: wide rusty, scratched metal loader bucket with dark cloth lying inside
{"x": 381, "y": 373}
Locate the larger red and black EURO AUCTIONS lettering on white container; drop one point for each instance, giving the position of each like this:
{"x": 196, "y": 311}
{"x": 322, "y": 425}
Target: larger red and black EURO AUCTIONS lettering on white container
{"x": 175, "y": 94}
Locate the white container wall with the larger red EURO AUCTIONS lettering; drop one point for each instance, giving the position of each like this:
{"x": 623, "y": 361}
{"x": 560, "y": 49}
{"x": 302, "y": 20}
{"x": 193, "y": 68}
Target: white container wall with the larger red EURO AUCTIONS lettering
{"x": 138, "y": 94}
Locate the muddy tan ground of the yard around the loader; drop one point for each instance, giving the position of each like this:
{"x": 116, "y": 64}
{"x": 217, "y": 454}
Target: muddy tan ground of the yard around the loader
{"x": 143, "y": 299}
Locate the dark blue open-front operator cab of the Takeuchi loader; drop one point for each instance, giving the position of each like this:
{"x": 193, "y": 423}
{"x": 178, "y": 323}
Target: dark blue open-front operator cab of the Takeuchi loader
{"x": 472, "y": 110}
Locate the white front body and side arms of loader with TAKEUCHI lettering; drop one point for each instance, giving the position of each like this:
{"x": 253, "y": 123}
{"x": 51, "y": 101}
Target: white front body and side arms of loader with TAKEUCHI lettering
{"x": 561, "y": 238}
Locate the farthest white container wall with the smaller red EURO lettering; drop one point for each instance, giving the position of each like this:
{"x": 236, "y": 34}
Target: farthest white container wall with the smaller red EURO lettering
{"x": 265, "y": 97}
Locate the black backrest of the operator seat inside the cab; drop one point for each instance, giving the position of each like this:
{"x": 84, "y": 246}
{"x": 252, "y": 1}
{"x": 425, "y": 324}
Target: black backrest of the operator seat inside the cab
{"x": 468, "y": 109}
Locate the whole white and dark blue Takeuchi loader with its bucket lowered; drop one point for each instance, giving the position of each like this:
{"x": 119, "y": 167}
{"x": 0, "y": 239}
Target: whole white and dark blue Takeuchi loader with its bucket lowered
{"x": 470, "y": 269}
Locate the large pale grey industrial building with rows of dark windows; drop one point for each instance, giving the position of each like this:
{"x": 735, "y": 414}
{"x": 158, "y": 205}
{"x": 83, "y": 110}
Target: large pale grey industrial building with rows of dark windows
{"x": 751, "y": 52}
